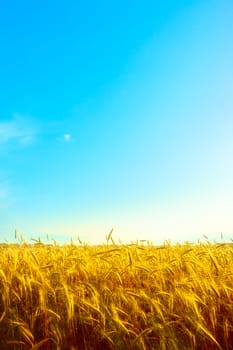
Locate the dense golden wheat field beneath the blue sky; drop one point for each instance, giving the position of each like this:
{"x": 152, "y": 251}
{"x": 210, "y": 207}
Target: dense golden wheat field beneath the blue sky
{"x": 116, "y": 296}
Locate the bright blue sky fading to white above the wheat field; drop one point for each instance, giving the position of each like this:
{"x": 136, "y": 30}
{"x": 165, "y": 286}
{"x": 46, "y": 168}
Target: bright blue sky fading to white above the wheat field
{"x": 116, "y": 114}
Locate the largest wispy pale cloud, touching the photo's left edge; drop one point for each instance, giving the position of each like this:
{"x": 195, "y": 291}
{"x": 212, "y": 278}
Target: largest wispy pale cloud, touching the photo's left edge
{"x": 21, "y": 129}
